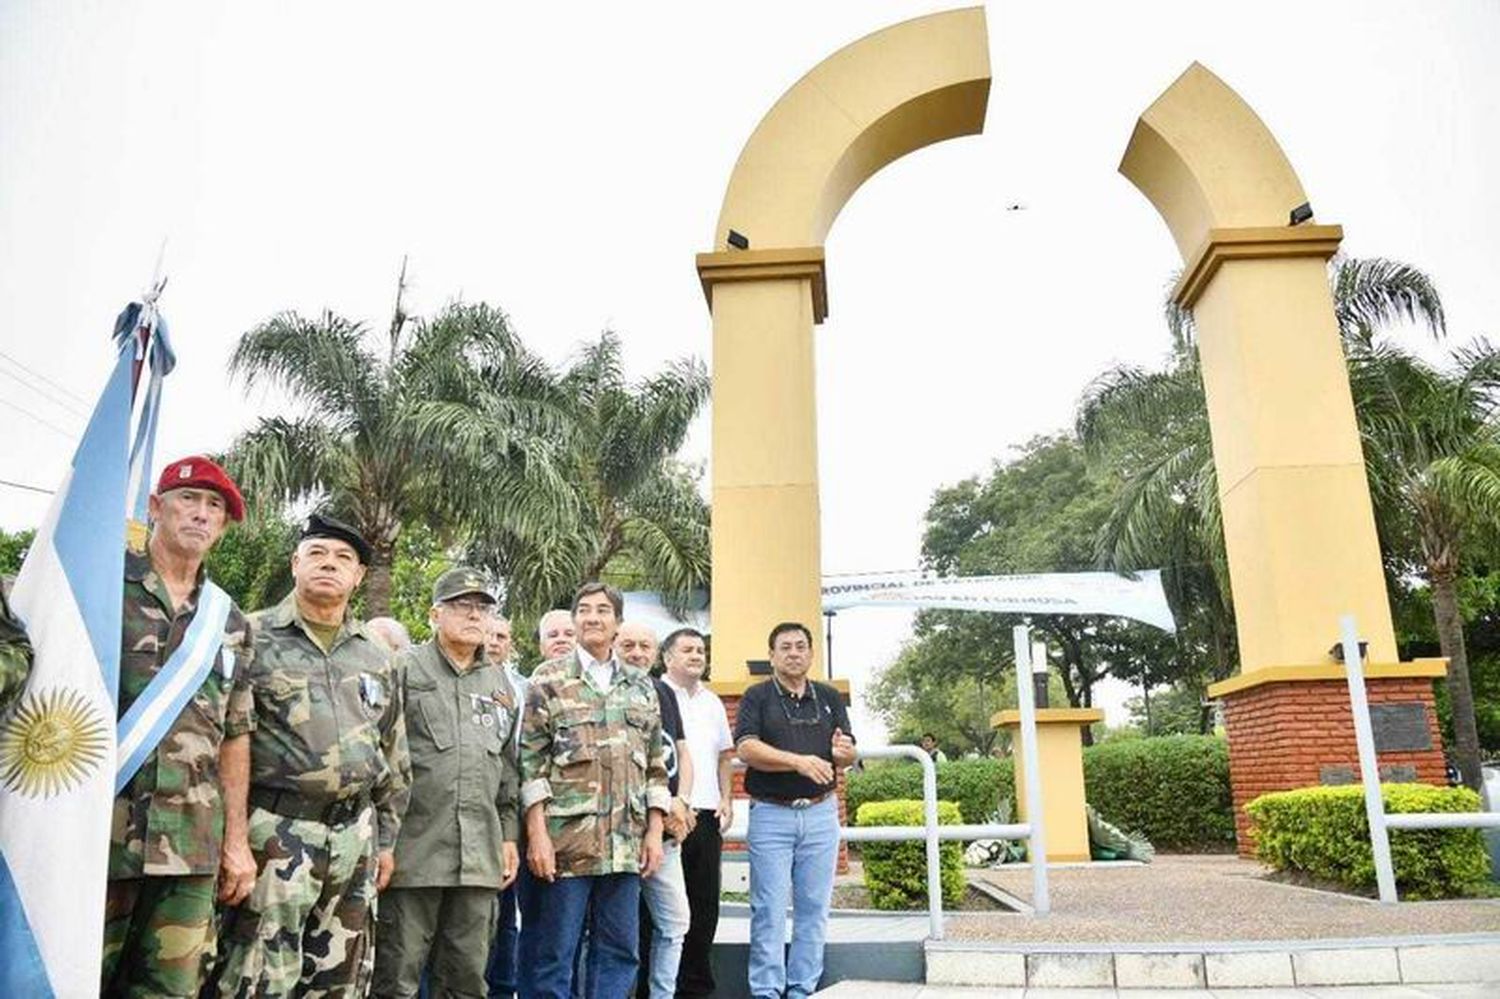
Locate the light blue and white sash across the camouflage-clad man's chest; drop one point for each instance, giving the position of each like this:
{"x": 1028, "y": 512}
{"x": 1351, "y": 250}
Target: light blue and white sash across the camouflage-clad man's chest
{"x": 155, "y": 712}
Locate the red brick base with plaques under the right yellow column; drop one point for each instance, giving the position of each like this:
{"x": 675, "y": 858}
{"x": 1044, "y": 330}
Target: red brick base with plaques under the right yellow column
{"x": 1301, "y": 733}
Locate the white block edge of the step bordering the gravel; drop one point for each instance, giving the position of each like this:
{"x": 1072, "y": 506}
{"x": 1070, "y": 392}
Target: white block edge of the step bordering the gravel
{"x": 1418, "y": 961}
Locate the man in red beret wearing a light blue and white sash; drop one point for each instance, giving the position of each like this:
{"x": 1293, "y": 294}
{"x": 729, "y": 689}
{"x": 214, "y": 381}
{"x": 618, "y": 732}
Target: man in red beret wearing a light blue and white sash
{"x": 167, "y": 839}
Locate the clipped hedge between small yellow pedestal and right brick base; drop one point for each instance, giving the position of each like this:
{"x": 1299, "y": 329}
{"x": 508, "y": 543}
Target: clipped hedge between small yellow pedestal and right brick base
{"x": 1174, "y": 790}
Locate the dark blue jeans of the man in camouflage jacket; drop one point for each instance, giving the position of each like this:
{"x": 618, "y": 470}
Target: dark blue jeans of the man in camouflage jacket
{"x": 550, "y": 946}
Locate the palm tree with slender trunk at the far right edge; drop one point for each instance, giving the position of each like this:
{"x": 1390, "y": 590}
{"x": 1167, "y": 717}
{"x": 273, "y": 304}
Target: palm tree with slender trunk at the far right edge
{"x": 1433, "y": 458}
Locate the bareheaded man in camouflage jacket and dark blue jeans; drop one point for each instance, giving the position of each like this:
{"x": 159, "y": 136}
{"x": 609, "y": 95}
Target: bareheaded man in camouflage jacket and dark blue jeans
{"x": 595, "y": 796}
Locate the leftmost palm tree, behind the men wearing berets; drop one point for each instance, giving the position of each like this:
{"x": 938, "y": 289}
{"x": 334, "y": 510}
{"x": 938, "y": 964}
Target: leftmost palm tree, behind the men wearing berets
{"x": 455, "y": 425}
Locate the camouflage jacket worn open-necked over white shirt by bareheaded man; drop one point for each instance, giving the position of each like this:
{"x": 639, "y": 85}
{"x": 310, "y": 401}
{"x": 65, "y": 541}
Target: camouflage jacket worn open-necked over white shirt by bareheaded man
{"x": 596, "y": 760}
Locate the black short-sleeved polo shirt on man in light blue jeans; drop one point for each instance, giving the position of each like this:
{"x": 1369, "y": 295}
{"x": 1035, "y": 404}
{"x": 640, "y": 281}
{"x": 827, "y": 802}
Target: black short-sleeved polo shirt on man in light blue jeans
{"x": 802, "y": 725}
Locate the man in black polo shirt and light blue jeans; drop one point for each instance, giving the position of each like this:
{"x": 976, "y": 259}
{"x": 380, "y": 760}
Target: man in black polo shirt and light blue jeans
{"x": 794, "y": 736}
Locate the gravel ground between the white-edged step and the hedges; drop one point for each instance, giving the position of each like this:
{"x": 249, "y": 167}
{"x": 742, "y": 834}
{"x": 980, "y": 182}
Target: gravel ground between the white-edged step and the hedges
{"x": 1205, "y": 898}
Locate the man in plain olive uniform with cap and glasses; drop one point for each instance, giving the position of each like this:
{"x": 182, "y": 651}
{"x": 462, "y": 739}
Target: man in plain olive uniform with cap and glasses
{"x": 458, "y": 839}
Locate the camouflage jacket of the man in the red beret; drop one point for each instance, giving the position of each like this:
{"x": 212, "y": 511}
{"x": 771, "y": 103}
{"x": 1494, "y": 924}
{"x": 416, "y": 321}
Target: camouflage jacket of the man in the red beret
{"x": 170, "y": 818}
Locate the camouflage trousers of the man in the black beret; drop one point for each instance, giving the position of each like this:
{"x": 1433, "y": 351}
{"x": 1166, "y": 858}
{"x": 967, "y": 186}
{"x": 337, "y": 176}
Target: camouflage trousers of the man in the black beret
{"x": 308, "y": 926}
